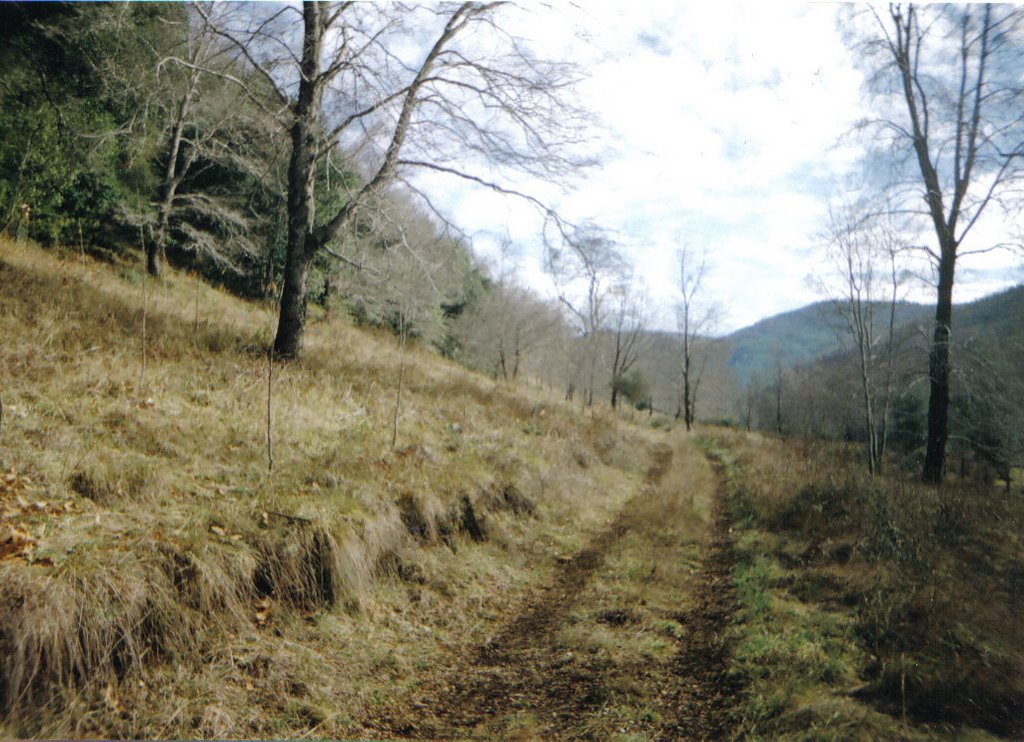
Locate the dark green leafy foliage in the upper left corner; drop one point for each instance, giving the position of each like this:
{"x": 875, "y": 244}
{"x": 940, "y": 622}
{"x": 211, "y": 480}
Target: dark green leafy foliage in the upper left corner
{"x": 58, "y": 154}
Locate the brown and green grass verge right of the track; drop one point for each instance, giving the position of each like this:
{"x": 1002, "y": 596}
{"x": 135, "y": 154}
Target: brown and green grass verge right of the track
{"x": 862, "y": 596}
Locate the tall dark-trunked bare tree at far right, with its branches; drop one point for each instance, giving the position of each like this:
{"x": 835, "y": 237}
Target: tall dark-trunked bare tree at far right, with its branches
{"x": 954, "y": 72}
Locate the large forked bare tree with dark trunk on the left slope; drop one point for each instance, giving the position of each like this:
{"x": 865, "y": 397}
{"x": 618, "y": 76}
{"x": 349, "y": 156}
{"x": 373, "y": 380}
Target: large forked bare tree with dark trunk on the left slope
{"x": 350, "y": 76}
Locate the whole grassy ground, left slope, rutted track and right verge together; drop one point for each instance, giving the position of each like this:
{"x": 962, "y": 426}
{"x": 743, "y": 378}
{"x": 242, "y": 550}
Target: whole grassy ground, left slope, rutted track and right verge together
{"x": 508, "y": 569}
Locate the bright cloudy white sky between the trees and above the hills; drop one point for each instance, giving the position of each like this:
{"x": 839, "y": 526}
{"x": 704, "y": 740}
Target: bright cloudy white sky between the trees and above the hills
{"x": 721, "y": 128}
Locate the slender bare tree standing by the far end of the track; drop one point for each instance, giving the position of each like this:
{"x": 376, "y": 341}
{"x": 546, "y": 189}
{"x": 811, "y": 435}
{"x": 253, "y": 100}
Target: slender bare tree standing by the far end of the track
{"x": 695, "y": 321}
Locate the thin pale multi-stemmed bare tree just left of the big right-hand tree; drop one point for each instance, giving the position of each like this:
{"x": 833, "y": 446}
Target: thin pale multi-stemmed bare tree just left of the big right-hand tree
{"x": 866, "y": 254}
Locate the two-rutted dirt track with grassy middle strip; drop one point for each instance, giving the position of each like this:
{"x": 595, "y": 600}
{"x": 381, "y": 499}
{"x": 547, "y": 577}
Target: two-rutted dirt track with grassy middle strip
{"x": 627, "y": 638}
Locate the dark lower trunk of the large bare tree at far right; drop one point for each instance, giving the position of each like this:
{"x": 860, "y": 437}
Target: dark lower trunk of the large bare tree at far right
{"x": 938, "y": 371}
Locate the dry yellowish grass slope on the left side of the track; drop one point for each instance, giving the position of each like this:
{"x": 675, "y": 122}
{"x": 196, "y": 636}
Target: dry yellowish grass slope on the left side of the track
{"x": 158, "y": 581}
